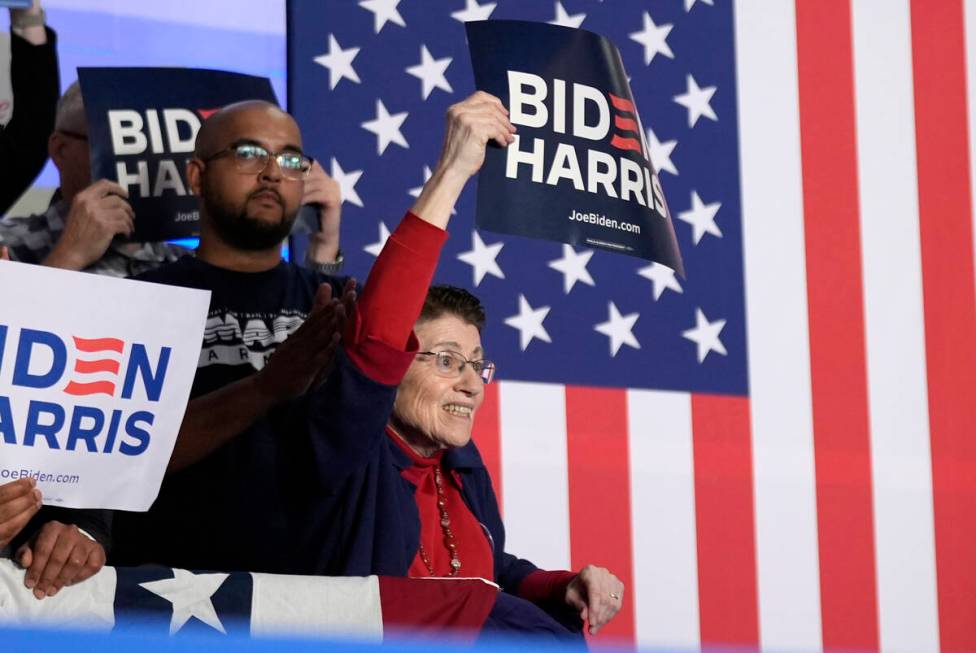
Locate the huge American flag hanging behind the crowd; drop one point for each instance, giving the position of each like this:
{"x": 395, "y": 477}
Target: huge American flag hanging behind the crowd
{"x": 779, "y": 450}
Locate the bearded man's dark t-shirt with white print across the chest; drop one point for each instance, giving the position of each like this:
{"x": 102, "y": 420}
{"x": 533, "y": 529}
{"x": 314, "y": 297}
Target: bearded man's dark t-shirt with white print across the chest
{"x": 227, "y": 512}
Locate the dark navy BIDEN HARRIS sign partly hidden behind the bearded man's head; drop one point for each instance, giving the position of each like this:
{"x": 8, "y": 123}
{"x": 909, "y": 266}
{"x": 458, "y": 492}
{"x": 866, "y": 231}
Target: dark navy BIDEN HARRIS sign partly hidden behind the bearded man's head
{"x": 142, "y": 127}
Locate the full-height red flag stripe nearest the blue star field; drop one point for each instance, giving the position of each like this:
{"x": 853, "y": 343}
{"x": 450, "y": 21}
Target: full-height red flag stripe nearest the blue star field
{"x": 836, "y": 317}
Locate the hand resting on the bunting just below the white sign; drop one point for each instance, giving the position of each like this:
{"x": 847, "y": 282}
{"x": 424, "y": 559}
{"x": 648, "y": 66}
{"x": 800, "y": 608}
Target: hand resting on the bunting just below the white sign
{"x": 58, "y": 555}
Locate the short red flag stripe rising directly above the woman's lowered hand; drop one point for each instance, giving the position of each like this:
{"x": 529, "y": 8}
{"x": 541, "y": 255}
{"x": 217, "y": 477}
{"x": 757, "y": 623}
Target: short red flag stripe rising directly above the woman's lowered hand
{"x": 598, "y": 460}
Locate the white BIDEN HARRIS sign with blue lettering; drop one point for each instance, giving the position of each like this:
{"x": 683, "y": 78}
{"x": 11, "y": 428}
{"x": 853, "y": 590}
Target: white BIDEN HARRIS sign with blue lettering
{"x": 95, "y": 374}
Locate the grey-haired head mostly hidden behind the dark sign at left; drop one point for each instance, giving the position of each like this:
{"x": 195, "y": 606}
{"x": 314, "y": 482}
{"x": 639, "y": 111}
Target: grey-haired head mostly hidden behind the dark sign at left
{"x": 68, "y": 144}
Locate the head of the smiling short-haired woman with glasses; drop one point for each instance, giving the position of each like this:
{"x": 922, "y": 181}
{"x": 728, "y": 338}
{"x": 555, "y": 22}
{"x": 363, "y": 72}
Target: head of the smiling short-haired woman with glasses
{"x": 442, "y": 390}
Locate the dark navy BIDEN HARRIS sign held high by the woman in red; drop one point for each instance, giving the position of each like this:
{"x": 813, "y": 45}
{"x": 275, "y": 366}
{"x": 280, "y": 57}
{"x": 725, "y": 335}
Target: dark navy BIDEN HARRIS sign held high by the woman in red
{"x": 579, "y": 171}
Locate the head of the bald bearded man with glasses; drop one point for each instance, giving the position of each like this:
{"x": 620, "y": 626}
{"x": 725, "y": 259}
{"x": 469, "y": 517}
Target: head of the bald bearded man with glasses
{"x": 248, "y": 170}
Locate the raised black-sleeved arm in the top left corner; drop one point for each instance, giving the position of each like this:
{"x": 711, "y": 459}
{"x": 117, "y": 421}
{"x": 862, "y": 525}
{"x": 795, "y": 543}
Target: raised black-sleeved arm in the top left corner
{"x": 36, "y": 85}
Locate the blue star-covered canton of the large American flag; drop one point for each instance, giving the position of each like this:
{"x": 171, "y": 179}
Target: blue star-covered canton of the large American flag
{"x": 370, "y": 90}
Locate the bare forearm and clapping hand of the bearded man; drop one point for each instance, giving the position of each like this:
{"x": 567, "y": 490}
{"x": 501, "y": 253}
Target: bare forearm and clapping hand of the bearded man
{"x": 298, "y": 364}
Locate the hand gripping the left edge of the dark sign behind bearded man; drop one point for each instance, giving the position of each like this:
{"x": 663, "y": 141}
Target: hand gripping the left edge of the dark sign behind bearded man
{"x": 97, "y": 215}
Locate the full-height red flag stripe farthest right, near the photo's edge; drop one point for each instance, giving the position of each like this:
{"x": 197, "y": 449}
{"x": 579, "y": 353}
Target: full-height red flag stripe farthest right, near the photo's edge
{"x": 941, "y": 138}
